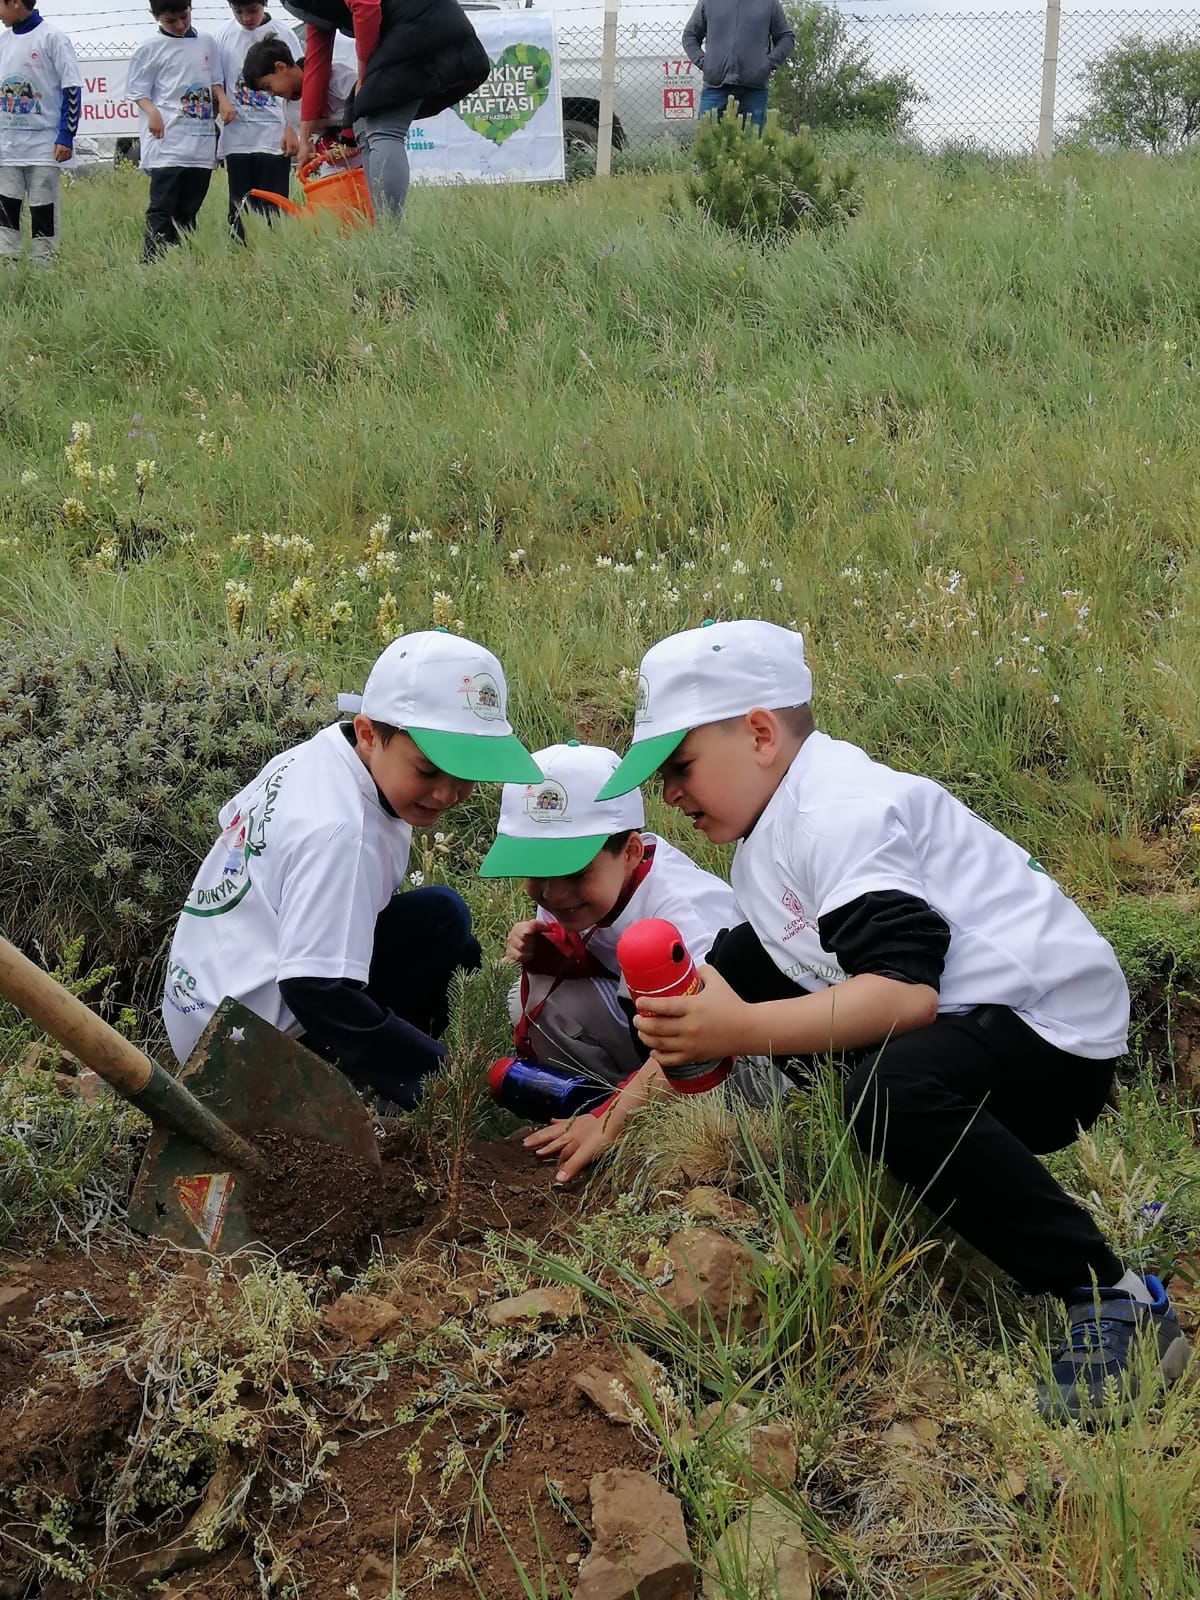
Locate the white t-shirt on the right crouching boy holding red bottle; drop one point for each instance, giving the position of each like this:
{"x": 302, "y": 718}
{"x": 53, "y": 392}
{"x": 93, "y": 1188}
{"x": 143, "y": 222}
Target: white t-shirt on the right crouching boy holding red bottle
{"x": 841, "y": 826}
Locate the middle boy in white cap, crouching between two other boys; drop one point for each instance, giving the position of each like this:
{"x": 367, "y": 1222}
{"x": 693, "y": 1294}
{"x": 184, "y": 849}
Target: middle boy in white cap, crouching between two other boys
{"x": 593, "y": 871}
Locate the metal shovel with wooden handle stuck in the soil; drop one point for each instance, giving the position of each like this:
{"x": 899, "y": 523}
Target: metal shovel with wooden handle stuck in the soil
{"x": 242, "y": 1079}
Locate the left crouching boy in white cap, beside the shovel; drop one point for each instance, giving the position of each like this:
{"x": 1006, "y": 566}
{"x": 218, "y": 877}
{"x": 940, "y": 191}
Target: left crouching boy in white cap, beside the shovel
{"x": 295, "y": 910}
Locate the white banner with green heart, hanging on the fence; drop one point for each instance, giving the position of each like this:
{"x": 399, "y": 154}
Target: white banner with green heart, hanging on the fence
{"x": 511, "y": 129}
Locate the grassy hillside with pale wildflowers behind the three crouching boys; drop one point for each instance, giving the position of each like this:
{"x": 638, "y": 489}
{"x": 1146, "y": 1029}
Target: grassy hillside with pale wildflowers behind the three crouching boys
{"x": 954, "y": 444}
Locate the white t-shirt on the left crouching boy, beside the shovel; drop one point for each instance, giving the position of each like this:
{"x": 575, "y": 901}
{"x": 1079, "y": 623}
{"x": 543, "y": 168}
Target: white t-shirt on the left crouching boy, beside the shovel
{"x": 306, "y": 862}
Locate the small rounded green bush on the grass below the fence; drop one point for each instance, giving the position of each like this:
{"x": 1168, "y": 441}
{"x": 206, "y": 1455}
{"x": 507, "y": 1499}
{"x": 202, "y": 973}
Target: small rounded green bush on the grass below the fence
{"x": 769, "y": 185}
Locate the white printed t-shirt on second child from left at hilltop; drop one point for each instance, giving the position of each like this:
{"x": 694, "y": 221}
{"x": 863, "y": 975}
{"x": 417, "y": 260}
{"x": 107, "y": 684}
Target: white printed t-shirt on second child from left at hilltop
{"x": 178, "y": 76}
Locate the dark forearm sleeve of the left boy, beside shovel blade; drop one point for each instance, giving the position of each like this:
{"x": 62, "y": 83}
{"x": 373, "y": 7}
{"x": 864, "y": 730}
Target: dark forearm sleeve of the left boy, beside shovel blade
{"x": 353, "y": 1031}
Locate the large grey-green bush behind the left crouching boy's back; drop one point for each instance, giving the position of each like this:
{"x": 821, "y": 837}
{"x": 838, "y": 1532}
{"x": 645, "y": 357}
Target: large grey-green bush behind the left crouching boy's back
{"x": 113, "y": 770}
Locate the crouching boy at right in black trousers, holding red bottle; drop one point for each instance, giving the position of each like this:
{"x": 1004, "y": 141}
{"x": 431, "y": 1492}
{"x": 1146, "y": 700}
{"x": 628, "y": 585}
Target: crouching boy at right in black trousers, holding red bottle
{"x": 978, "y": 1012}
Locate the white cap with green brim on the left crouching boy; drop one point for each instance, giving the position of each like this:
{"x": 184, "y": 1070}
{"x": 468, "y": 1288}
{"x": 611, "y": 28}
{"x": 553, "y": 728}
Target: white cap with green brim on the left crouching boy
{"x": 449, "y": 695}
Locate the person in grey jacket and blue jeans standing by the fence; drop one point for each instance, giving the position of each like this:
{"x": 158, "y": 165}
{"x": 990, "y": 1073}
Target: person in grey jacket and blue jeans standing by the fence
{"x": 738, "y": 44}
